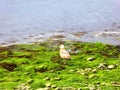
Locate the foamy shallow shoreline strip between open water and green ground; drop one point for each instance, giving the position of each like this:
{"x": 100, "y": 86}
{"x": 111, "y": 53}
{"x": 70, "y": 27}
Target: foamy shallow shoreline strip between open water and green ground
{"x": 105, "y": 37}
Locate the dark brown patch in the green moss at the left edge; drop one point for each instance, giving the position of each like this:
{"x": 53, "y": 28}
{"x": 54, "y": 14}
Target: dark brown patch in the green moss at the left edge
{"x": 8, "y": 66}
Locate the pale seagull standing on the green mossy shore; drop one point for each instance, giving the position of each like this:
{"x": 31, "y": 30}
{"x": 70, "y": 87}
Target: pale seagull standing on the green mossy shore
{"x": 63, "y": 53}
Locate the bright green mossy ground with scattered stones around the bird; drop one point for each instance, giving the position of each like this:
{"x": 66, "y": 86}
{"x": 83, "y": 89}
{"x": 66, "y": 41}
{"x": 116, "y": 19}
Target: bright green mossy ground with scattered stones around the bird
{"x": 39, "y": 66}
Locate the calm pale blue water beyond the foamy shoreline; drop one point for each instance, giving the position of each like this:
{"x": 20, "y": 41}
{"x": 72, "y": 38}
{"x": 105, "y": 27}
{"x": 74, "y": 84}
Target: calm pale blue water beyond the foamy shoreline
{"x": 21, "y": 18}
